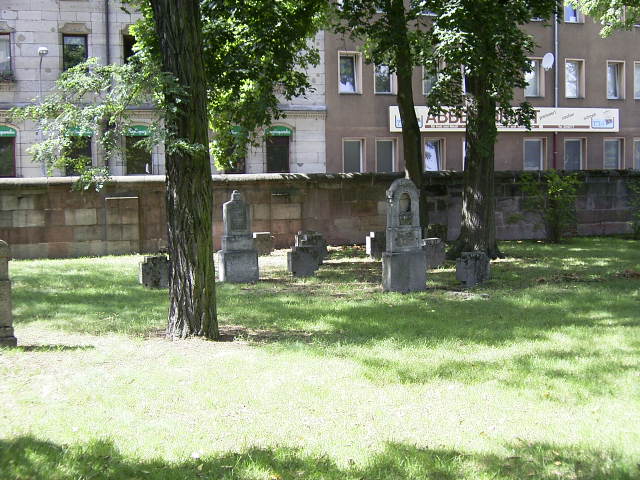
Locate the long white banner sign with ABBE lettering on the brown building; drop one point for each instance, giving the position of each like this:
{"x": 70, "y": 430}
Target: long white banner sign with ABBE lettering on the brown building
{"x": 548, "y": 119}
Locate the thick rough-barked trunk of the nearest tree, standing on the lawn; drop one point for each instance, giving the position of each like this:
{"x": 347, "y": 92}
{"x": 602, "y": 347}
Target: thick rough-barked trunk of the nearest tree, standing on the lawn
{"x": 189, "y": 185}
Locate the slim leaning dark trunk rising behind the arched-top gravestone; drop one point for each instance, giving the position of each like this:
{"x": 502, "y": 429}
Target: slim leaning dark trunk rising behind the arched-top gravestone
{"x": 411, "y": 141}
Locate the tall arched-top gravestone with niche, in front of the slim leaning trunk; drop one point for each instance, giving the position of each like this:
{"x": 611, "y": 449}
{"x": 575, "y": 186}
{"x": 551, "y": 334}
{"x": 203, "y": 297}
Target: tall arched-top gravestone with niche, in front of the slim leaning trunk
{"x": 404, "y": 266}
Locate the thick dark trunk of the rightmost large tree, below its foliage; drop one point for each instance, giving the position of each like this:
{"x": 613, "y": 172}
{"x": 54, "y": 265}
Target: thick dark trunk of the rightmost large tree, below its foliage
{"x": 478, "y": 229}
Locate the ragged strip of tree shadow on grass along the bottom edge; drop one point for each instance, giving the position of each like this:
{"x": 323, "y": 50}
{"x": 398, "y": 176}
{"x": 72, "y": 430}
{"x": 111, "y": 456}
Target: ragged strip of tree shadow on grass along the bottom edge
{"x": 28, "y": 457}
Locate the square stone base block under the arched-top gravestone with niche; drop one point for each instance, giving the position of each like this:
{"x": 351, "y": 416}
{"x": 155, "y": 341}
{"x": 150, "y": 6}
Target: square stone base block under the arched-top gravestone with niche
{"x": 404, "y": 272}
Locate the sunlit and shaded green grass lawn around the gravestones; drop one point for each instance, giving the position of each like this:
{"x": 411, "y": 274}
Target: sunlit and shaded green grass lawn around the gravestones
{"x": 534, "y": 375}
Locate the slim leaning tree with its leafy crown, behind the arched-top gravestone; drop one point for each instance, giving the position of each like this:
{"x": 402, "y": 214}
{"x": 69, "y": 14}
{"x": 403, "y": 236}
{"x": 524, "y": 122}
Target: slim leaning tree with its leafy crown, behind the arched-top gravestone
{"x": 394, "y": 33}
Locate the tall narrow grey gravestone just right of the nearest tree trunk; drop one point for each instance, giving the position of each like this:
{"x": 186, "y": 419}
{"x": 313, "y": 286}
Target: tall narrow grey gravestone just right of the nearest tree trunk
{"x": 238, "y": 257}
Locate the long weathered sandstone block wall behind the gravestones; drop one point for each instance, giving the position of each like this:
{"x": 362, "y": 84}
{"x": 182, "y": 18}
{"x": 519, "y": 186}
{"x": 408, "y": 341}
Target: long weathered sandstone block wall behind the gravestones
{"x": 45, "y": 218}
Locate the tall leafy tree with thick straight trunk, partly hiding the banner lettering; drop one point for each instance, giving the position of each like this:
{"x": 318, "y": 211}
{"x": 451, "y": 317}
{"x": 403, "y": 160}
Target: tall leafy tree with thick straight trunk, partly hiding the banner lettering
{"x": 484, "y": 52}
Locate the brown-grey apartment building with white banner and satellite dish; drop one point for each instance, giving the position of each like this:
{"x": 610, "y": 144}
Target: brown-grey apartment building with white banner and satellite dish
{"x": 588, "y": 105}
